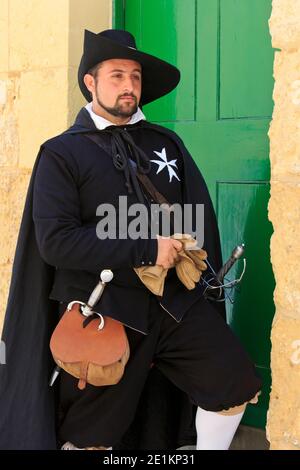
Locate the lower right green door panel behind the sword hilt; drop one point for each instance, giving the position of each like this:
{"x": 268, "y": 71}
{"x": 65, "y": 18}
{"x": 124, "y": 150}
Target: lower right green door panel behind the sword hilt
{"x": 241, "y": 221}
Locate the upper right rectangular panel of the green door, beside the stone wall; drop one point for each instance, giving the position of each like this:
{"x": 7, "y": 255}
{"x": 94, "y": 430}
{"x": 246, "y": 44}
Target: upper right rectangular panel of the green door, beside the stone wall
{"x": 245, "y": 62}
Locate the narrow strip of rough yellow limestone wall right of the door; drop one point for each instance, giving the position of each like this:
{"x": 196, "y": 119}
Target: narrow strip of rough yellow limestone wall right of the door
{"x": 284, "y": 213}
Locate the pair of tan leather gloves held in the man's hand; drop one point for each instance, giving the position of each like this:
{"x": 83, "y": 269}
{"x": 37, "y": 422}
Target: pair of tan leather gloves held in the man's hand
{"x": 189, "y": 267}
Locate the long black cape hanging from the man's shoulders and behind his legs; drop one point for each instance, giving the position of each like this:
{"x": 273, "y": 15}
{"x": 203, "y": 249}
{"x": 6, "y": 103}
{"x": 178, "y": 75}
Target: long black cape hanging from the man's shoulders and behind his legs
{"x": 165, "y": 417}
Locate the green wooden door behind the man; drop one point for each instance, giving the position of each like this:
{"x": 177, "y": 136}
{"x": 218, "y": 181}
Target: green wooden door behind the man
{"x": 222, "y": 110}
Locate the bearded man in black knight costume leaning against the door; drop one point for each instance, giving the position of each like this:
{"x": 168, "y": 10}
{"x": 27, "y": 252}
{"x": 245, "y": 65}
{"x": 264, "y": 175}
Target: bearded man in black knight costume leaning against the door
{"x": 178, "y": 335}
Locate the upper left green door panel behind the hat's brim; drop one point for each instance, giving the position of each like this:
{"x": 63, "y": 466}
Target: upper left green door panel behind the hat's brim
{"x": 178, "y": 40}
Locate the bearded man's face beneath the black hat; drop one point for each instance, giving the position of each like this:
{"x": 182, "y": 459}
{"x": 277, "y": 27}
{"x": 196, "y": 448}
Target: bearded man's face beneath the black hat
{"x": 116, "y": 89}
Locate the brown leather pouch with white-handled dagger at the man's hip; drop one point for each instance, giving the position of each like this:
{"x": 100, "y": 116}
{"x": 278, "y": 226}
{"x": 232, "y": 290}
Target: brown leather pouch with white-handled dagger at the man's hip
{"x": 89, "y": 346}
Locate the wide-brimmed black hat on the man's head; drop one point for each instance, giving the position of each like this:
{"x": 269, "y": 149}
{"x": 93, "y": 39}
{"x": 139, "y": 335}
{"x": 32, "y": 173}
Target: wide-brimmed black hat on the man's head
{"x": 158, "y": 77}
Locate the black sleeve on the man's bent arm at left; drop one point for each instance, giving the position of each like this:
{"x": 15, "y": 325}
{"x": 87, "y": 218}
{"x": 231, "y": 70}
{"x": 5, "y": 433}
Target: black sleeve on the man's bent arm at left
{"x": 63, "y": 240}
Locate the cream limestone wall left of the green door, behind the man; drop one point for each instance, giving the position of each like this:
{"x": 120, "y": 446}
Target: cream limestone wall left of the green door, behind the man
{"x": 40, "y": 48}
